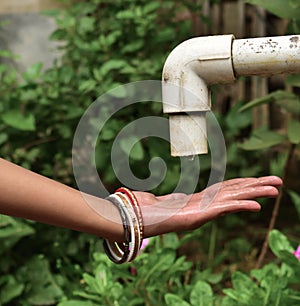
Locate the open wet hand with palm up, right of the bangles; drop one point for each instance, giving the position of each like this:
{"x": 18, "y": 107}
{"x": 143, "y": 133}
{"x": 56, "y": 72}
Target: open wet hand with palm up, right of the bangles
{"x": 180, "y": 212}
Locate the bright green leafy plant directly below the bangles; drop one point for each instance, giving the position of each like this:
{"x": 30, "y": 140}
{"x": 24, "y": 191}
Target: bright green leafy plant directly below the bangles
{"x": 143, "y": 282}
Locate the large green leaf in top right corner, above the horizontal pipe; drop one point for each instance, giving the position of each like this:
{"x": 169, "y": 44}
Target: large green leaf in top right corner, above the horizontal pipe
{"x": 282, "y": 8}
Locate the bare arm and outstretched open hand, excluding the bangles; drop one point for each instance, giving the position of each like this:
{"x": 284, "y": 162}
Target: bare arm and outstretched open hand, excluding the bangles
{"x": 29, "y": 195}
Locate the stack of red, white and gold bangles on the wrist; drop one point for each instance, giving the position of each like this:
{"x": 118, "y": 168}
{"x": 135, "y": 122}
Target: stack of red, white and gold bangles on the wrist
{"x": 132, "y": 220}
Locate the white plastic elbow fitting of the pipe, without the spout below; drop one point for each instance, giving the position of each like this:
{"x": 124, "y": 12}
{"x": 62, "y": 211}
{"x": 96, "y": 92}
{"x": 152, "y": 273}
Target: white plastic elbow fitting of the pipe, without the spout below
{"x": 191, "y": 68}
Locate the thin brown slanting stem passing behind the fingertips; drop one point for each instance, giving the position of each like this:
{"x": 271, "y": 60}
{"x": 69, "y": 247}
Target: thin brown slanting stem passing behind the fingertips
{"x": 265, "y": 246}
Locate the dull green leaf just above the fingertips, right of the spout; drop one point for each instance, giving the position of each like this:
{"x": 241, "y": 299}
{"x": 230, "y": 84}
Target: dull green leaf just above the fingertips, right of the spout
{"x": 262, "y": 139}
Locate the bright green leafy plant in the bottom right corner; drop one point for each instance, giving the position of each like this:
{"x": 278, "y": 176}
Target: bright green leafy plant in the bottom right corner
{"x": 271, "y": 285}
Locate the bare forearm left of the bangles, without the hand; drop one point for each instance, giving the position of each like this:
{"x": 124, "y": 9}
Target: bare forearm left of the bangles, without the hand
{"x": 26, "y": 194}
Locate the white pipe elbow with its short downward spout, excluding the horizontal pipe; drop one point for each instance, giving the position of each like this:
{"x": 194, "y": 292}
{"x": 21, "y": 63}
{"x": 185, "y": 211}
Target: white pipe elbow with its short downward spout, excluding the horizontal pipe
{"x": 188, "y": 72}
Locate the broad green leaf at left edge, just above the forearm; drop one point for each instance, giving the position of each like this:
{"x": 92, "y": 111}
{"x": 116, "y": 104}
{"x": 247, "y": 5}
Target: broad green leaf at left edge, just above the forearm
{"x": 17, "y": 120}
